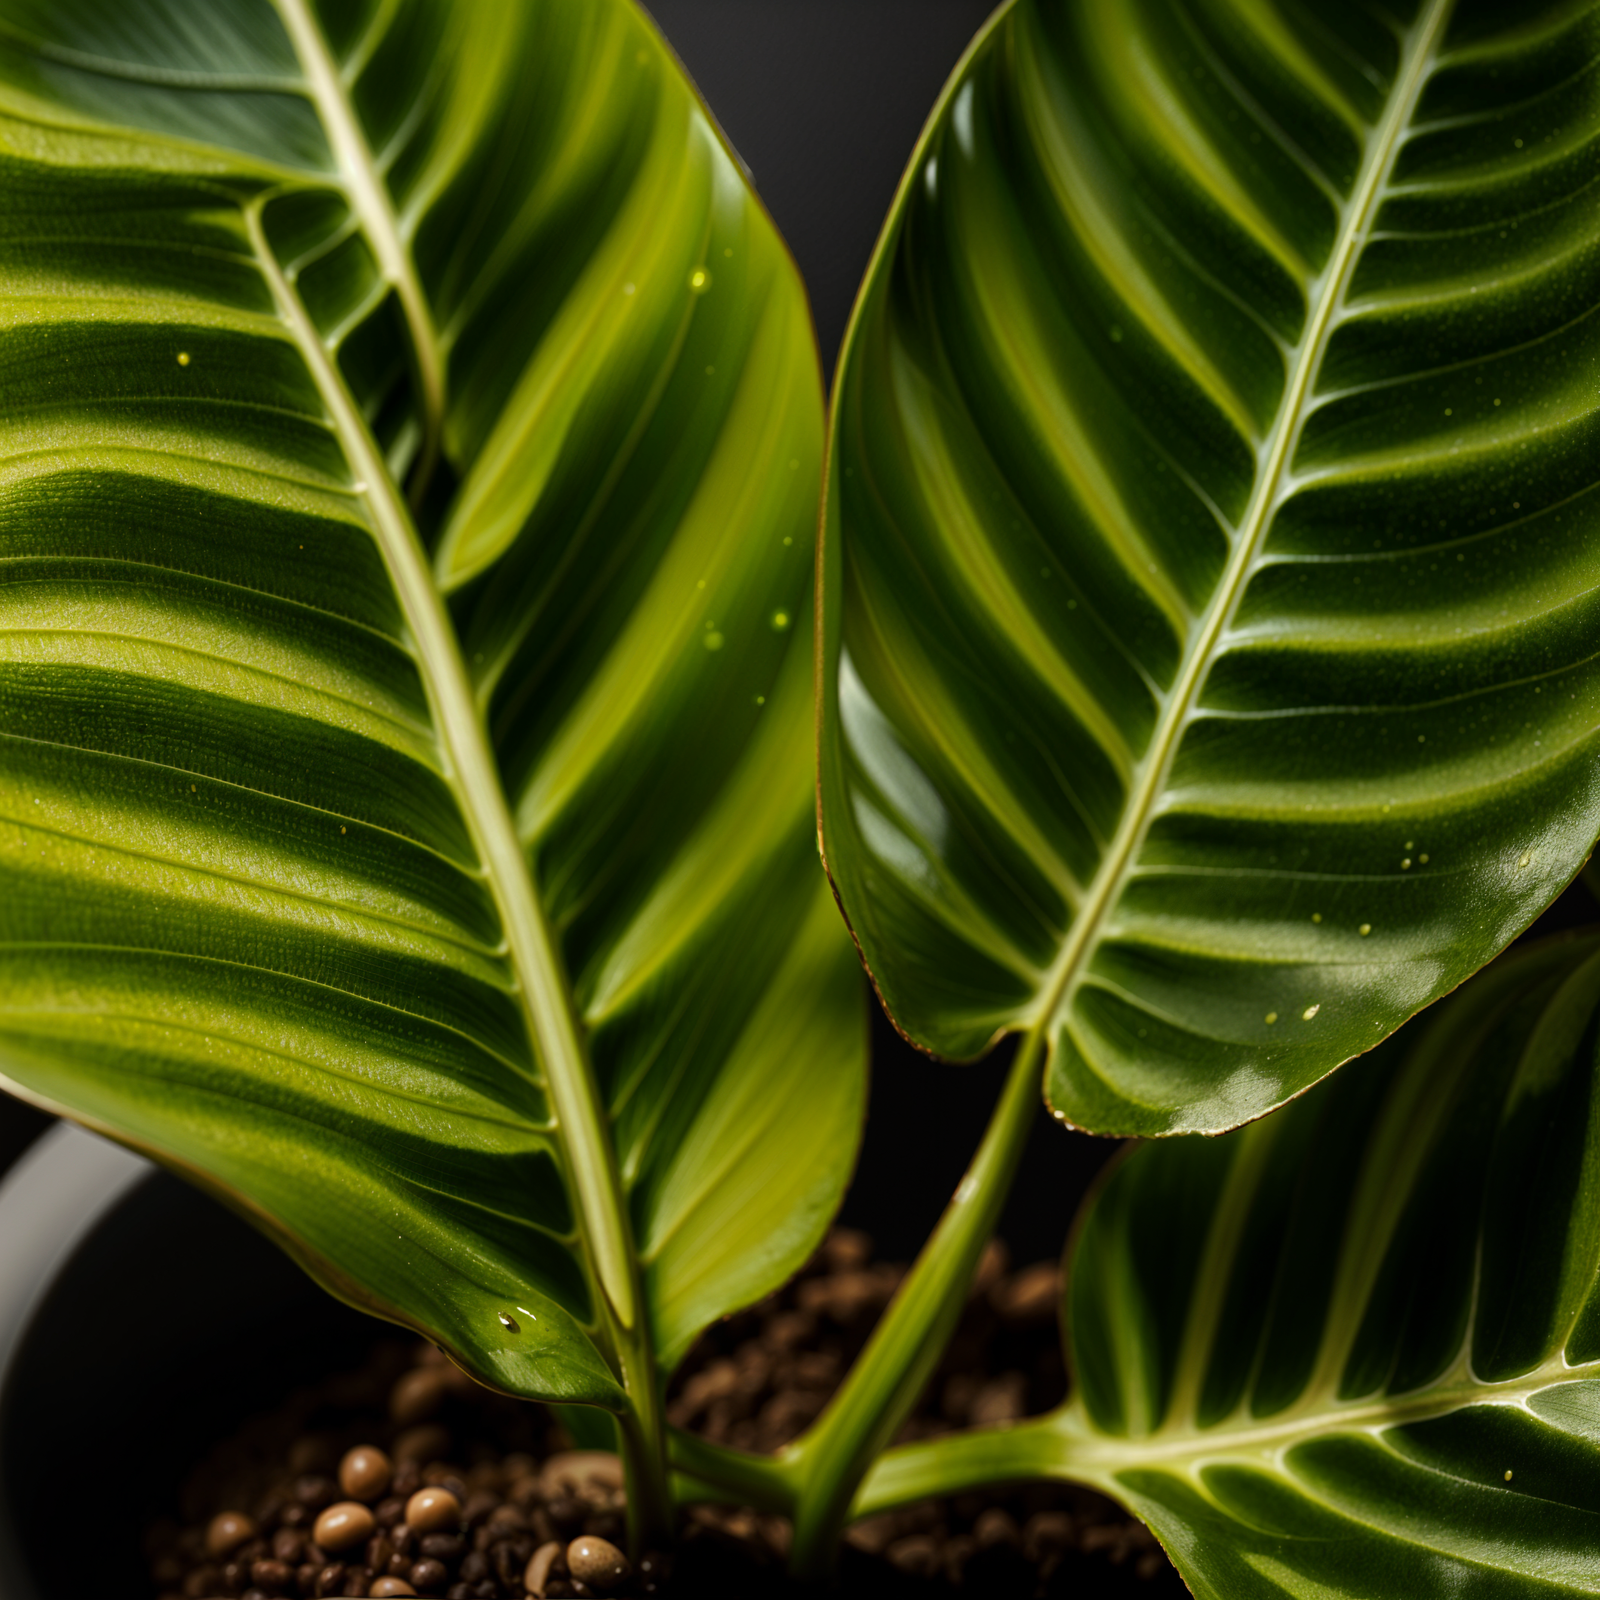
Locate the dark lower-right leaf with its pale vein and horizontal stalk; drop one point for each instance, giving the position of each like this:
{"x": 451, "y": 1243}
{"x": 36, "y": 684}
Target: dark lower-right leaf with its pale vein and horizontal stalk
{"x": 1354, "y": 1350}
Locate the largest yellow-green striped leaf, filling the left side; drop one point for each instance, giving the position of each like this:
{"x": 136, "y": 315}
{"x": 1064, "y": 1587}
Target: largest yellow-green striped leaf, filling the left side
{"x": 497, "y": 980}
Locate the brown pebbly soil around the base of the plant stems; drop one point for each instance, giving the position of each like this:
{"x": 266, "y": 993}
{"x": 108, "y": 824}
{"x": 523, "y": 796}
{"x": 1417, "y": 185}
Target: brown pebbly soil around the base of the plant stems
{"x": 516, "y": 1490}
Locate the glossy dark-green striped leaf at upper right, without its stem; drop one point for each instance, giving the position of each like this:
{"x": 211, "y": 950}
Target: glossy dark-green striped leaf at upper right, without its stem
{"x": 1210, "y": 546}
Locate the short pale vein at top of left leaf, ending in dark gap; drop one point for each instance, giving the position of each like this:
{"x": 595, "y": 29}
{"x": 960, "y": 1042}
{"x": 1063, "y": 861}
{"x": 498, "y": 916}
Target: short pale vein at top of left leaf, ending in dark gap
{"x": 369, "y": 196}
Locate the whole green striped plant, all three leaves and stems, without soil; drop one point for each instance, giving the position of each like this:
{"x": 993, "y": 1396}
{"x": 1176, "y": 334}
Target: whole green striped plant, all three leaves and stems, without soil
{"x": 410, "y": 724}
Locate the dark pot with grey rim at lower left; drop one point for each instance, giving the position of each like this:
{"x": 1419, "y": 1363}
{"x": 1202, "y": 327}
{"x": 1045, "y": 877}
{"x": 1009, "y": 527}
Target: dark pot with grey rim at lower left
{"x": 140, "y": 1322}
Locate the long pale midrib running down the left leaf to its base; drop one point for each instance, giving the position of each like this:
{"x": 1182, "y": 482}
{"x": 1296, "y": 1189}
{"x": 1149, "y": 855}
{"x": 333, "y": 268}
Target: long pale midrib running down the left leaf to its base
{"x": 476, "y": 782}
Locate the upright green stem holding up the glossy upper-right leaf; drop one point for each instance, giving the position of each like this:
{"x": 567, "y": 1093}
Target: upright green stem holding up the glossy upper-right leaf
{"x": 879, "y": 1393}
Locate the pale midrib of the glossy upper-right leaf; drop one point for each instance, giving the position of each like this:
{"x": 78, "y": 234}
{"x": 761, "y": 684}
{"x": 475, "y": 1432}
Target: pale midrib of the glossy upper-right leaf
{"x": 1110, "y": 881}
